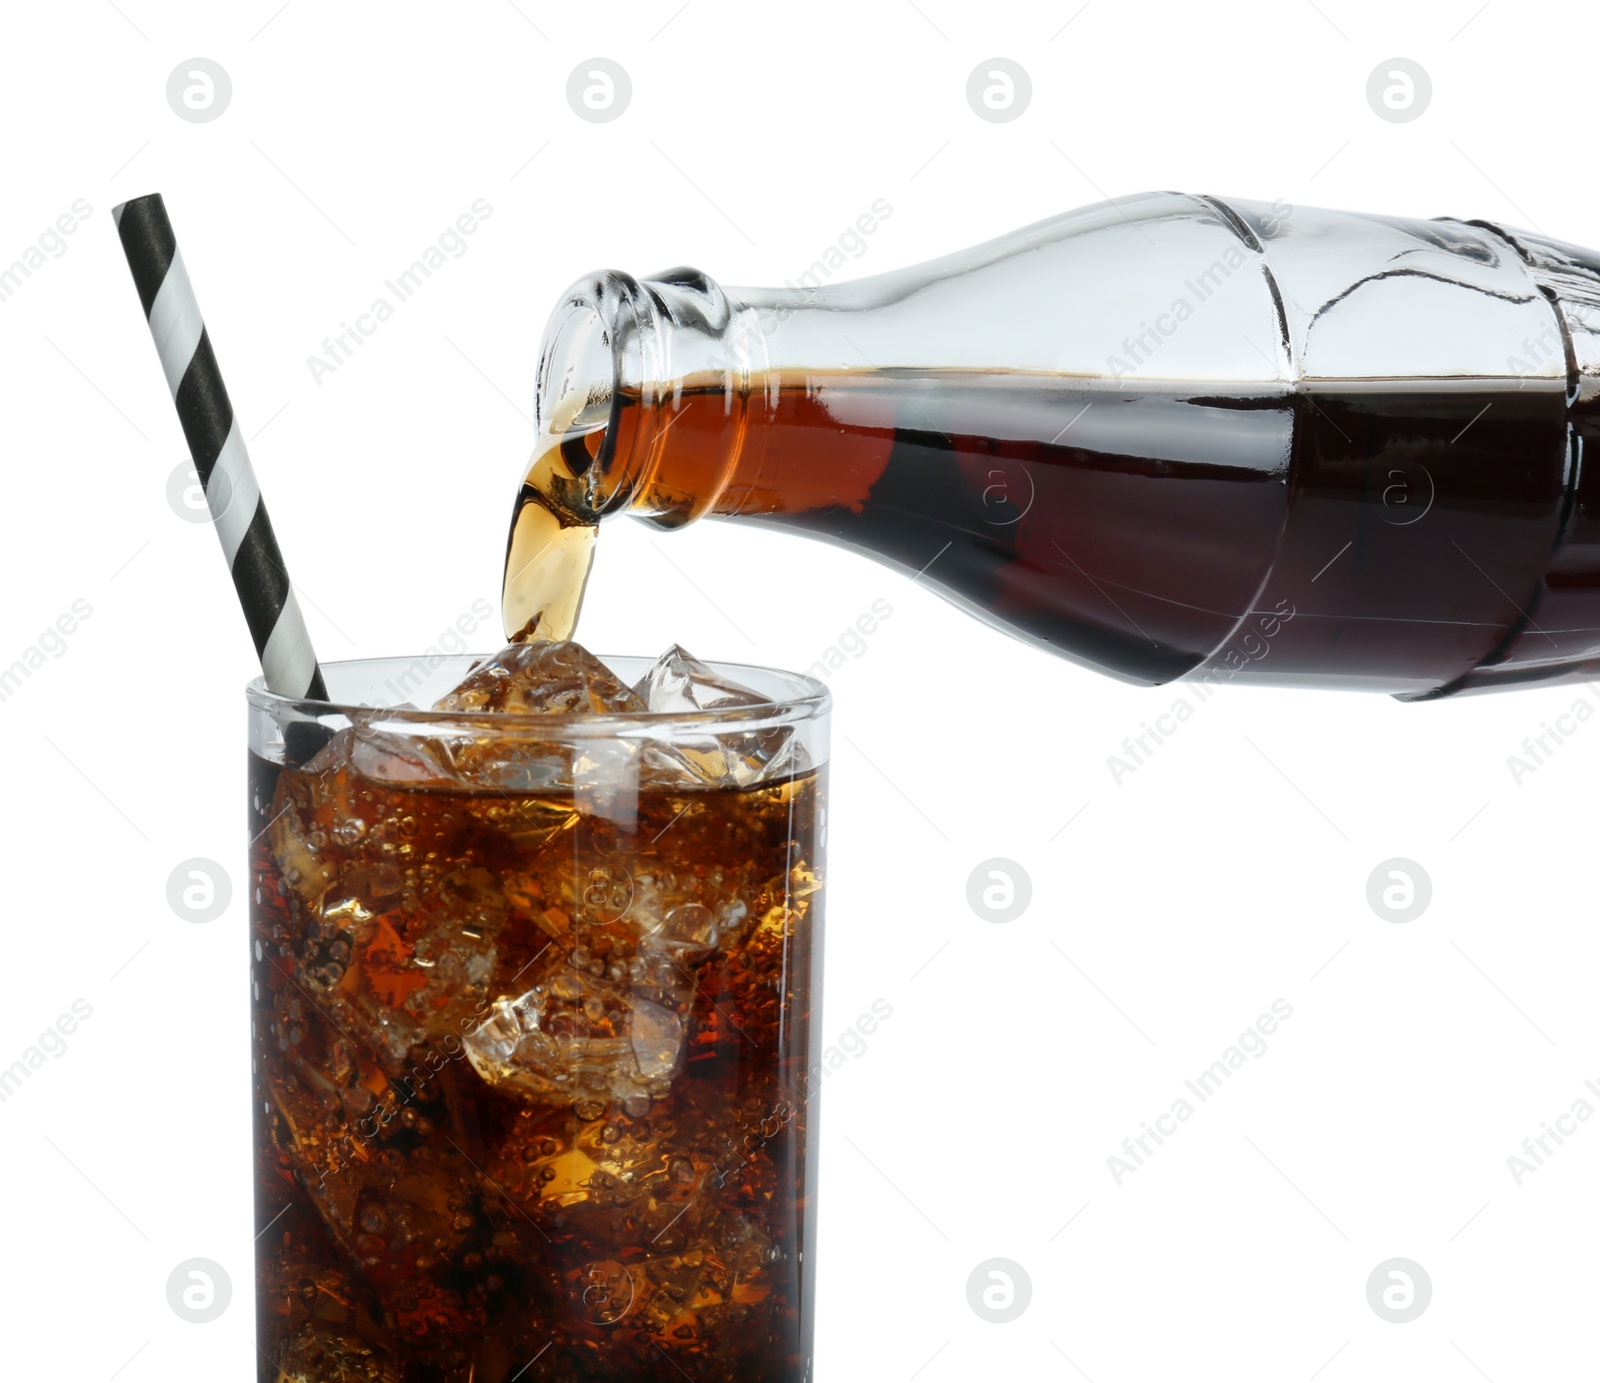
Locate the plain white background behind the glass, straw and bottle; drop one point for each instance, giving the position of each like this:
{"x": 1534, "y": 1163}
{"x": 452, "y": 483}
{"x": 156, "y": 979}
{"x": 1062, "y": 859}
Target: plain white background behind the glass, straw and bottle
{"x": 1226, "y": 873}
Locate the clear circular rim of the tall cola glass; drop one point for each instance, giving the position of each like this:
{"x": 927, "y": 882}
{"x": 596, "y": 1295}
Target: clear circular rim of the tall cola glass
{"x": 810, "y": 700}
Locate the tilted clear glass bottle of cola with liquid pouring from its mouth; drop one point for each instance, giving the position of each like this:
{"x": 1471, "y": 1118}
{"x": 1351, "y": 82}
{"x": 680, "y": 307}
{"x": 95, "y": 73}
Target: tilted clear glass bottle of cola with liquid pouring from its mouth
{"x": 1167, "y": 436}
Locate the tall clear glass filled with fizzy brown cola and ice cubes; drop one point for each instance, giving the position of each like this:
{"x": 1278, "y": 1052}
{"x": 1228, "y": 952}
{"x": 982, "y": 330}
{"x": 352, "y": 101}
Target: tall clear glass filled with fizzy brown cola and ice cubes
{"x": 532, "y": 1028}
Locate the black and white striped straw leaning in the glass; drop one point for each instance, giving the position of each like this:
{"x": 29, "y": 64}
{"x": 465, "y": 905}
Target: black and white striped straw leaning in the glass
{"x": 218, "y": 451}
